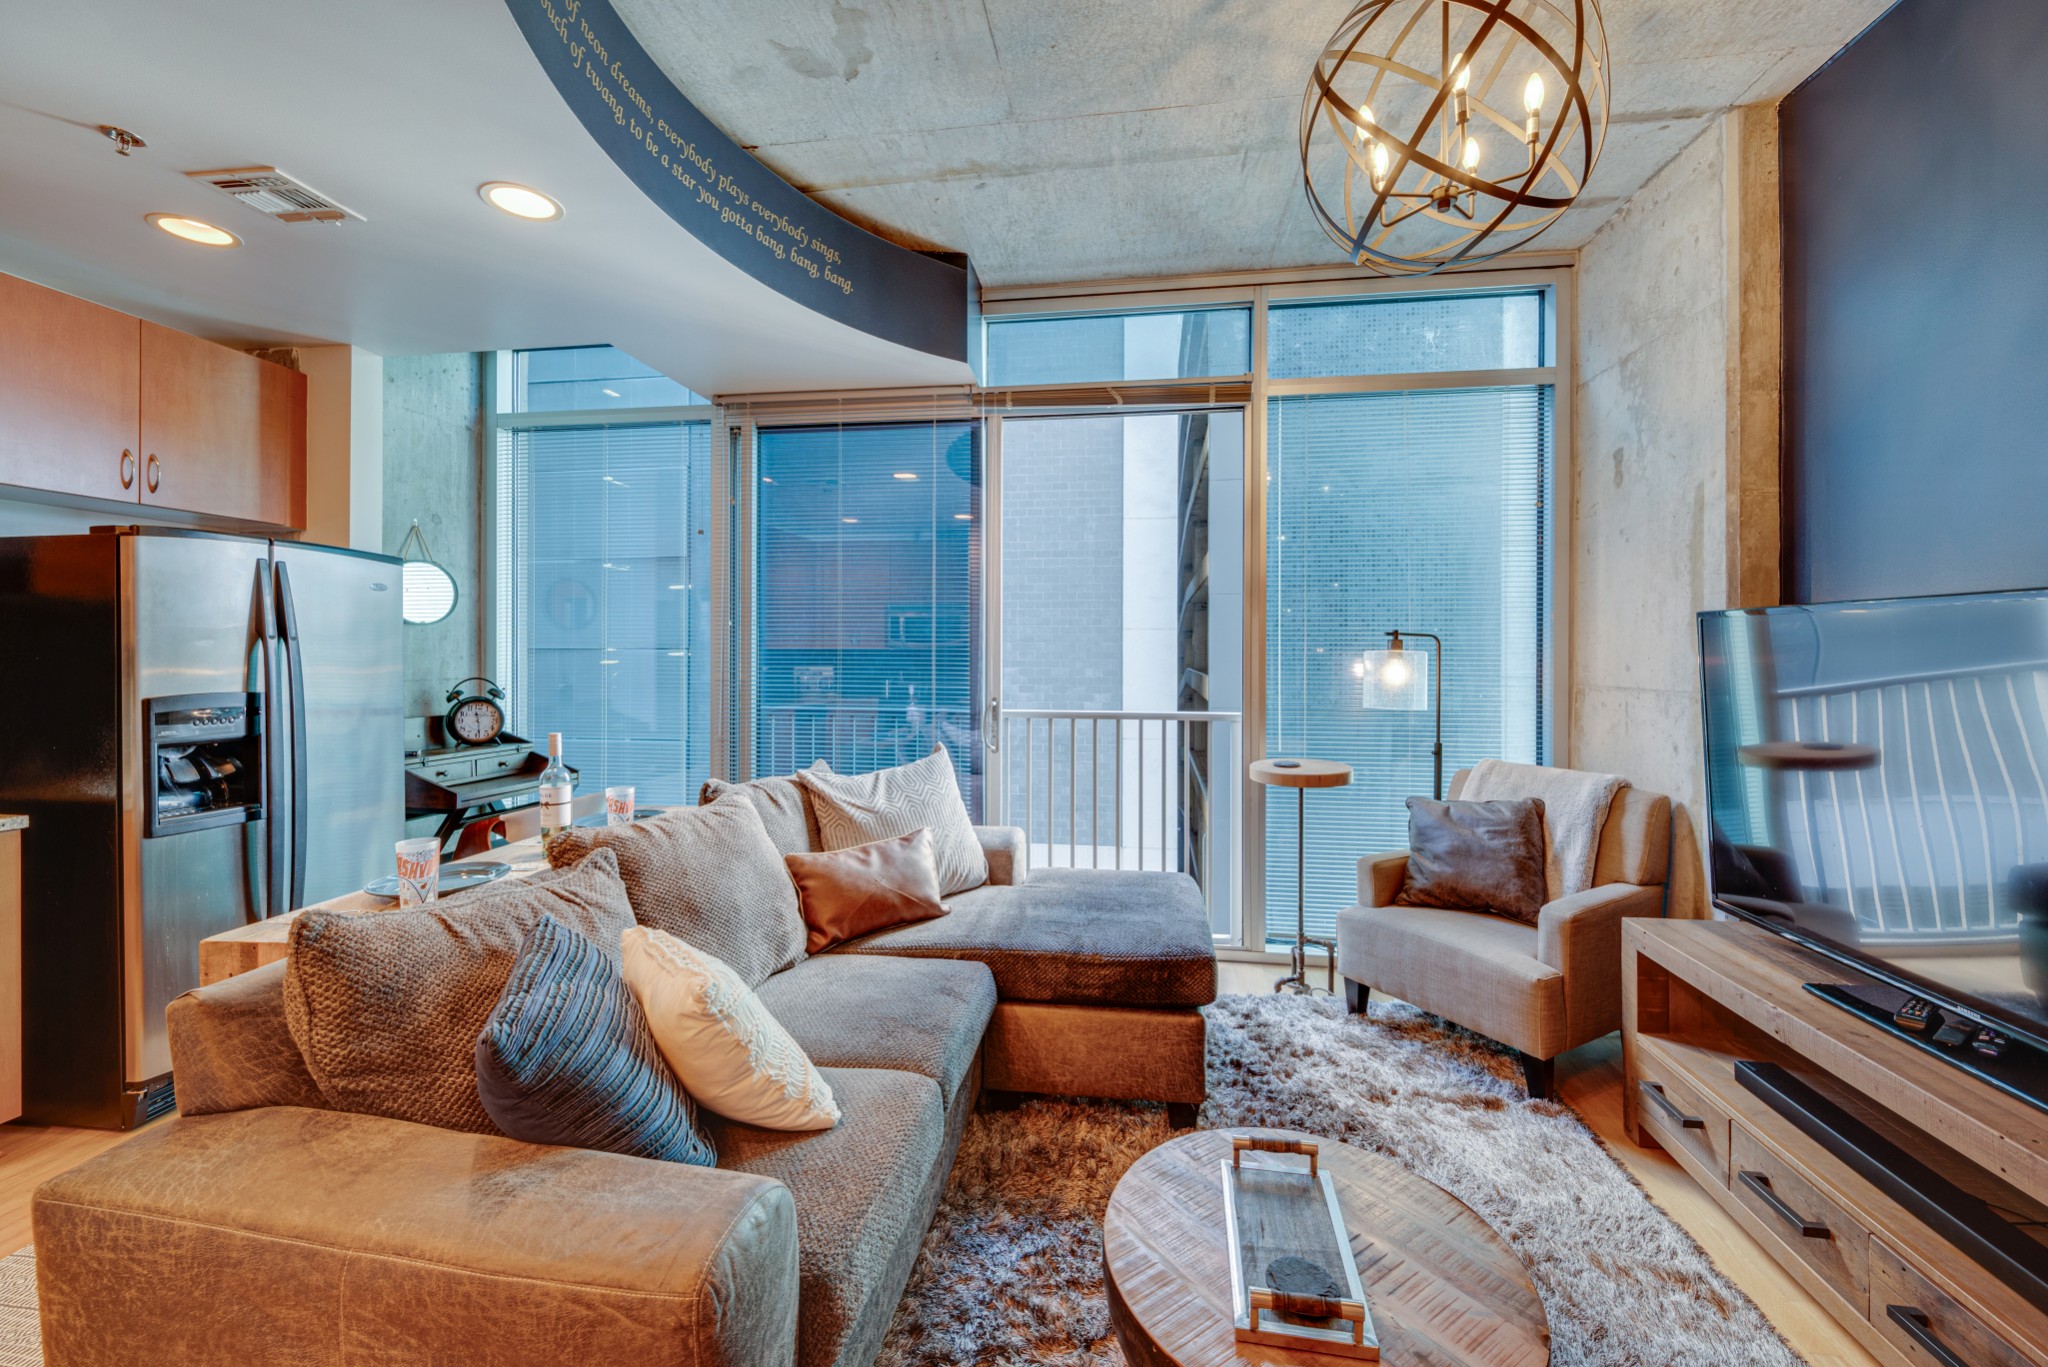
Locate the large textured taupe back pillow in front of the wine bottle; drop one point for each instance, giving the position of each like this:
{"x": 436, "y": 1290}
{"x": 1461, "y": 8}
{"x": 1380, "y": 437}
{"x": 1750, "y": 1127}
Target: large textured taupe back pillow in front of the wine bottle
{"x": 710, "y": 876}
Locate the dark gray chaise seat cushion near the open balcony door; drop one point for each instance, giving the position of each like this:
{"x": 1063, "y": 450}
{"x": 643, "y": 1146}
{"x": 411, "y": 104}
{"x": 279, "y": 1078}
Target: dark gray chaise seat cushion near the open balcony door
{"x": 1086, "y": 938}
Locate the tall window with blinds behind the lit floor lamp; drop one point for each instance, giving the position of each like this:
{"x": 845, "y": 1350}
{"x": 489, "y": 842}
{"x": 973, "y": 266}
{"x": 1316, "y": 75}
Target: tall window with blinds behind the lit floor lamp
{"x": 1396, "y": 507}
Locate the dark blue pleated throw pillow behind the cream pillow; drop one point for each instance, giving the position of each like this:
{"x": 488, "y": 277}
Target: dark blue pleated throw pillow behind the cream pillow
{"x": 566, "y": 1059}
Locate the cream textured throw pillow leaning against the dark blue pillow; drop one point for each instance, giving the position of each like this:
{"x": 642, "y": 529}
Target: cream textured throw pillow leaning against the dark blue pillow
{"x": 722, "y": 1044}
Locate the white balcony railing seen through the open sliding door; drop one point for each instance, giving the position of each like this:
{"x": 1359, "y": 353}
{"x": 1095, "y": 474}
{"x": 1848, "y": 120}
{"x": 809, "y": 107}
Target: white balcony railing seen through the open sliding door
{"x": 1123, "y": 790}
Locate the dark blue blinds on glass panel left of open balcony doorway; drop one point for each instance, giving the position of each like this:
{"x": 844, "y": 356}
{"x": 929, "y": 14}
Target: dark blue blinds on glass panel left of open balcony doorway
{"x": 867, "y": 628}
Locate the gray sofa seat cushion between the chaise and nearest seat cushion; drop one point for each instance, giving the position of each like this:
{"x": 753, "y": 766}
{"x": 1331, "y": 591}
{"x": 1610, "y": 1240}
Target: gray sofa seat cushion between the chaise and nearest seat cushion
{"x": 869, "y": 1011}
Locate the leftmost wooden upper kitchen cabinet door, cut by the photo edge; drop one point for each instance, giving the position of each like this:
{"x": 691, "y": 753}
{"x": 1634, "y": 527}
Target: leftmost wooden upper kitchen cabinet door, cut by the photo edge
{"x": 69, "y": 395}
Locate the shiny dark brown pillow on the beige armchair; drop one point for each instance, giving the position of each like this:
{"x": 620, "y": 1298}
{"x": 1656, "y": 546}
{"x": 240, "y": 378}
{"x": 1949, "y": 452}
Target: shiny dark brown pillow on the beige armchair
{"x": 1476, "y": 858}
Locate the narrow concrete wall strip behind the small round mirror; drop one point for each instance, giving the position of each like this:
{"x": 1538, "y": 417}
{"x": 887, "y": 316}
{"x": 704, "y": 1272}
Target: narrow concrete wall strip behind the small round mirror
{"x": 433, "y": 470}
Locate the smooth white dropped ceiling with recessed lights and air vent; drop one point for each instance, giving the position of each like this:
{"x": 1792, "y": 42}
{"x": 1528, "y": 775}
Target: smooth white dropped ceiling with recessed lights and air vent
{"x": 398, "y": 110}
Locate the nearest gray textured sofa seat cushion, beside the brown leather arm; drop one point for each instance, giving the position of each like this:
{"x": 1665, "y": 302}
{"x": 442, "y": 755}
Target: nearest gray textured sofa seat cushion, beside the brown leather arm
{"x": 859, "y": 1194}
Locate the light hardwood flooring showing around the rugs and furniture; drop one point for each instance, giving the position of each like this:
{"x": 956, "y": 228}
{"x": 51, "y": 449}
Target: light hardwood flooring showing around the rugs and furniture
{"x": 1590, "y": 1081}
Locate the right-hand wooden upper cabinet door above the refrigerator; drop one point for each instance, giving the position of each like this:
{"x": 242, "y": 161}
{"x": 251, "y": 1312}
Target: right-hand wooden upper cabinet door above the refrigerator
{"x": 222, "y": 433}
